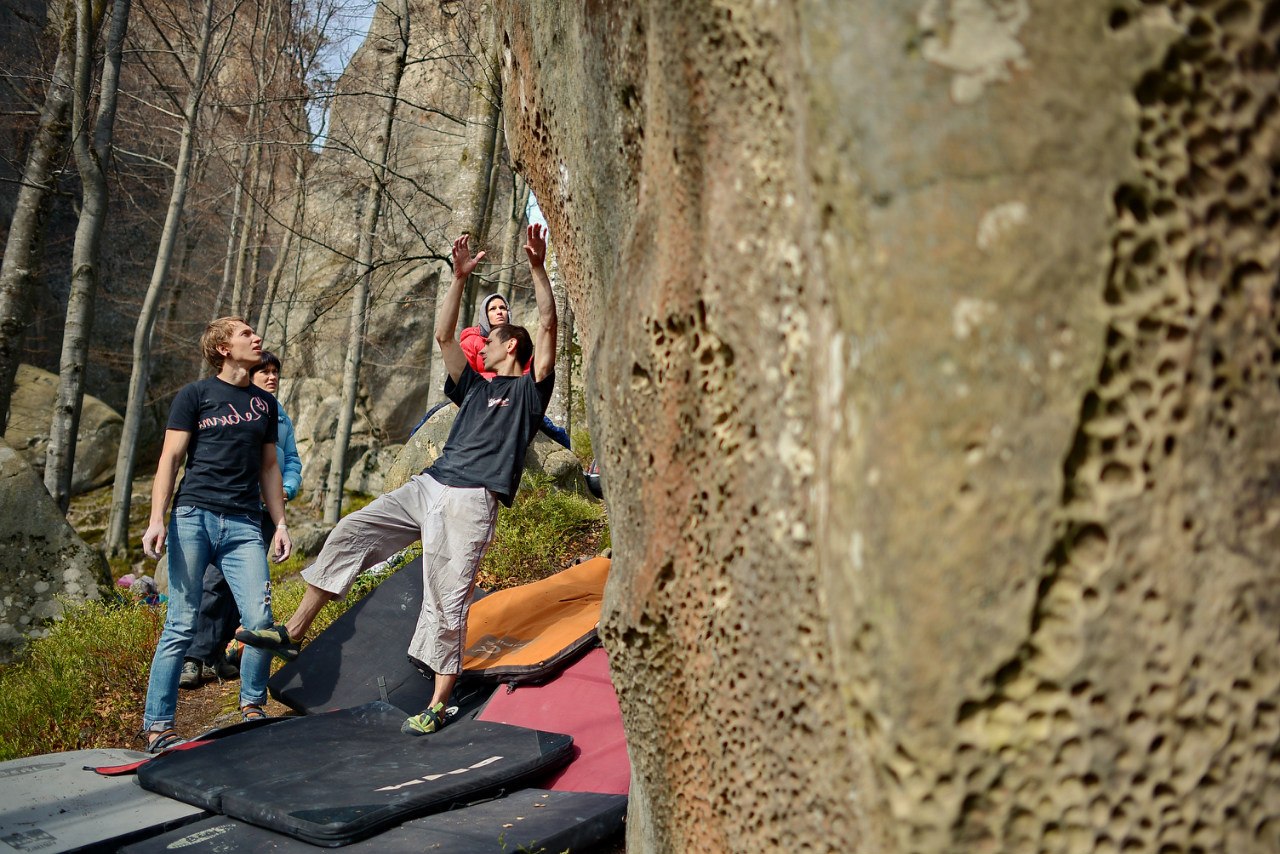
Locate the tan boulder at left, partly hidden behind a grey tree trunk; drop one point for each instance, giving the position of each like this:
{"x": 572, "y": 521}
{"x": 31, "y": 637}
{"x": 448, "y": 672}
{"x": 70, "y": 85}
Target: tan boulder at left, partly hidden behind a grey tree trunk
{"x": 98, "y": 440}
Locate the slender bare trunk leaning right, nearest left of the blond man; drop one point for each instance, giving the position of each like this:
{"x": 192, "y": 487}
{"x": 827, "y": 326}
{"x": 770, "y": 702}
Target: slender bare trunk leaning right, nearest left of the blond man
{"x": 118, "y": 527}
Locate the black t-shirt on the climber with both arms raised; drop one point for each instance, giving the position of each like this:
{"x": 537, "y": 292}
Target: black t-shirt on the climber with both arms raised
{"x": 497, "y": 421}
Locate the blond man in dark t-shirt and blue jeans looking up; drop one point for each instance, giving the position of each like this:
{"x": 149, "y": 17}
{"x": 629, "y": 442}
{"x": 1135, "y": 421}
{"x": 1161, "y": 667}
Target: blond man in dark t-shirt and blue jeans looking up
{"x": 225, "y": 430}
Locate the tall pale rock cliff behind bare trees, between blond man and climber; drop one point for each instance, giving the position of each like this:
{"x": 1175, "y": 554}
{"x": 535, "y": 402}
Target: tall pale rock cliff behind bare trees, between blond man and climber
{"x": 414, "y": 235}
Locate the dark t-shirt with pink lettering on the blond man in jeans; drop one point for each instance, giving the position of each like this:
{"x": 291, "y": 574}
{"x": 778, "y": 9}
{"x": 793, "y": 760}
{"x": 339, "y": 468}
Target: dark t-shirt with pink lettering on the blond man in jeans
{"x": 228, "y": 428}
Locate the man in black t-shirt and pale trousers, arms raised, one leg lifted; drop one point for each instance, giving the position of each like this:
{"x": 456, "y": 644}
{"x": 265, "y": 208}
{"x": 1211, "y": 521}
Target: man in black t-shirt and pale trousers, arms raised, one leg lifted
{"x": 452, "y": 505}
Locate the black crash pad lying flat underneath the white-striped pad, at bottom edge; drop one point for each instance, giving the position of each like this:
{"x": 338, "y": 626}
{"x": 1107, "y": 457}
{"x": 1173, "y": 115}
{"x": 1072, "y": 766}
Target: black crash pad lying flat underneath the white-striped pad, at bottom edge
{"x": 531, "y": 820}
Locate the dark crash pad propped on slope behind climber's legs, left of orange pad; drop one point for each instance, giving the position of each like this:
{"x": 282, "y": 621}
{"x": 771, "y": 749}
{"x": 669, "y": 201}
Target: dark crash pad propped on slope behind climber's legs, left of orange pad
{"x": 363, "y": 657}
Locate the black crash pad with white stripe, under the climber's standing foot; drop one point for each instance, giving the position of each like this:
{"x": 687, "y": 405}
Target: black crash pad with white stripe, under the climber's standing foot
{"x": 336, "y": 778}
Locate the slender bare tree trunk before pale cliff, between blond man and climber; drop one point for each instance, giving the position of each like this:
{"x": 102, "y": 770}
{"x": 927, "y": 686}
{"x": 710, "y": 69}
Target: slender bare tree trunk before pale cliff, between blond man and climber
{"x": 364, "y": 272}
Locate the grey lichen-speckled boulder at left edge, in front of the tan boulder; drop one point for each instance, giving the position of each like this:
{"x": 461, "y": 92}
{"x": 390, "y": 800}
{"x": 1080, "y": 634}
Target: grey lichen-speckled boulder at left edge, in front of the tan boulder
{"x": 43, "y": 563}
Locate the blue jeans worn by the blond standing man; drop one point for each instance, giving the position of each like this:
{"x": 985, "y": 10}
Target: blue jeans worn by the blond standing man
{"x": 234, "y": 544}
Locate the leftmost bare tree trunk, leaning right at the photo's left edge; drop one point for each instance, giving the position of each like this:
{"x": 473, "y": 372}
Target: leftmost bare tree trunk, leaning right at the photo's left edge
{"x": 19, "y": 270}
